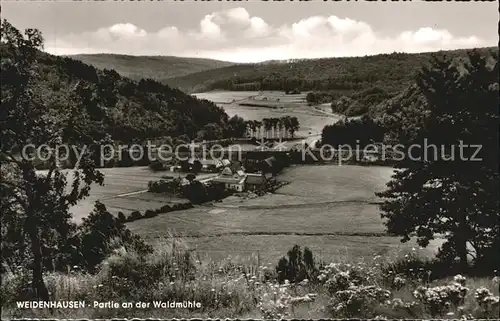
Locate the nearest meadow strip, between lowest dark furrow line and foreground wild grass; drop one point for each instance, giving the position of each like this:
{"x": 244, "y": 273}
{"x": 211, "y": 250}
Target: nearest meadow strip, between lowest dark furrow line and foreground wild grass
{"x": 331, "y": 248}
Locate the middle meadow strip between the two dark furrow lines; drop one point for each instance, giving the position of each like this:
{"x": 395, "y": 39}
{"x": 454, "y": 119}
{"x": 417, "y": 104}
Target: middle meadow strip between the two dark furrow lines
{"x": 342, "y": 218}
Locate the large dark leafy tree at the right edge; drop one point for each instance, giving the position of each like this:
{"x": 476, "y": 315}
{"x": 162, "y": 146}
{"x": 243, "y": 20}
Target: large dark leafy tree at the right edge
{"x": 450, "y": 194}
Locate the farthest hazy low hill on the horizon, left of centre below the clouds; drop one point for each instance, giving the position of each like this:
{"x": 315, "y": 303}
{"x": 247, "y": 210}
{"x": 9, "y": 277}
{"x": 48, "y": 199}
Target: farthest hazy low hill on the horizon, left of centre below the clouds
{"x": 154, "y": 67}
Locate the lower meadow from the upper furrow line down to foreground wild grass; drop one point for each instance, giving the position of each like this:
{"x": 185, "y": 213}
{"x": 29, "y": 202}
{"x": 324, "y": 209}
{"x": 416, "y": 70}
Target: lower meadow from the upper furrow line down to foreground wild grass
{"x": 335, "y": 232}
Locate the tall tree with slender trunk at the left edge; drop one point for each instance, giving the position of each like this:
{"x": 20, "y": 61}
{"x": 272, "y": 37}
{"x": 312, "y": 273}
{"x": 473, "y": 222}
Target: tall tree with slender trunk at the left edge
{"x": 37, "y": 206}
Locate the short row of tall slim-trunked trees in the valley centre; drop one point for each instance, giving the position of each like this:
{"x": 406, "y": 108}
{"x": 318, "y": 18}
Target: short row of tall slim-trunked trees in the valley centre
{"x": 284, "y": 127}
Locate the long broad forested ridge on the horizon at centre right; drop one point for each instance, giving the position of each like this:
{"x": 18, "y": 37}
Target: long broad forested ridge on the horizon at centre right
{"x": 390, "y": 72}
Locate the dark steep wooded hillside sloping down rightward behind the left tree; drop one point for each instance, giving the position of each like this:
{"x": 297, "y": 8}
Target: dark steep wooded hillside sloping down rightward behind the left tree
{"x": 126, "y": 109}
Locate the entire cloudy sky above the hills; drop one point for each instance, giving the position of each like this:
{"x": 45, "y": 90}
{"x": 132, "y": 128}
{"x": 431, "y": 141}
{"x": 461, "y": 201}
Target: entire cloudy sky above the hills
{"x": 251, "y": 31}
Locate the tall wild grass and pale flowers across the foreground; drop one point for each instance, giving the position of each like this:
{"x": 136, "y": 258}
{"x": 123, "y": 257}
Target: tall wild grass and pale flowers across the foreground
{"x": 245, "y": 287}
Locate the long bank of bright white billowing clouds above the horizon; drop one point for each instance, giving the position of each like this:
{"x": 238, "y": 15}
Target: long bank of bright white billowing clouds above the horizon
{"x": 235, "y": 35}
